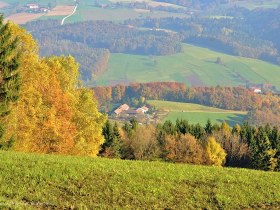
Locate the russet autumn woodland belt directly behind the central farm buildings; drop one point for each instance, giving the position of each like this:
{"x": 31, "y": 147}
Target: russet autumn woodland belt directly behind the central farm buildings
{"x": 262, "y": 109}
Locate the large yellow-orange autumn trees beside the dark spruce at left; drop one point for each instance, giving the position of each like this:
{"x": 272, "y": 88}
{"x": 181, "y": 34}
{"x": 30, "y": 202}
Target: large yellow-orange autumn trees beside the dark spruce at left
{"x": 54, "y": 114}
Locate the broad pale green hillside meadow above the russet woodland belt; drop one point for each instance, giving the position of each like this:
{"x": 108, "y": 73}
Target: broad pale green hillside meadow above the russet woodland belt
{"x": 194, "y": 66}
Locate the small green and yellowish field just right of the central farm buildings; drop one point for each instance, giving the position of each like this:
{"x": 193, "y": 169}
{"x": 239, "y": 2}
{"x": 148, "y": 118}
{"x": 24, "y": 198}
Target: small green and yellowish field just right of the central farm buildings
{"x": 196, "y": 113}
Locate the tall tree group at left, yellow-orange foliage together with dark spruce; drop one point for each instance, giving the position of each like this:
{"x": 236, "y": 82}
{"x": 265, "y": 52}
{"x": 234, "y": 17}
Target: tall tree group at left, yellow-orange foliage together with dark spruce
{"x": 43, "y": 108}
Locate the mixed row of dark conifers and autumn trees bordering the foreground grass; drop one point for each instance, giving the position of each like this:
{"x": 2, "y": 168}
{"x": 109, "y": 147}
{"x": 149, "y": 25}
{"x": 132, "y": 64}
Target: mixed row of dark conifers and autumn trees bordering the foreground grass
{"x": 240, "y": 146}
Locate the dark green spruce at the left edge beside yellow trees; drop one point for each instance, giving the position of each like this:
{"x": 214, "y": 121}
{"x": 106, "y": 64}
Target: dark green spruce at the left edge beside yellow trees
{"x": 9, "y": 76}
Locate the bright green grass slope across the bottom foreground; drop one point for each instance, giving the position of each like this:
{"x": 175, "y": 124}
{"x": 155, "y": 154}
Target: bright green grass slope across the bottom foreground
{"x": 46, "y": 181}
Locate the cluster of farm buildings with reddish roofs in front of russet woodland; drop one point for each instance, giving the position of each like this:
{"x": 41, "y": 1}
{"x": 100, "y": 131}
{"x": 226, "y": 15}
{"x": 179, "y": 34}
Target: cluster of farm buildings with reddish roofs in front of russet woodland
{"x": 125, "y": 110}
